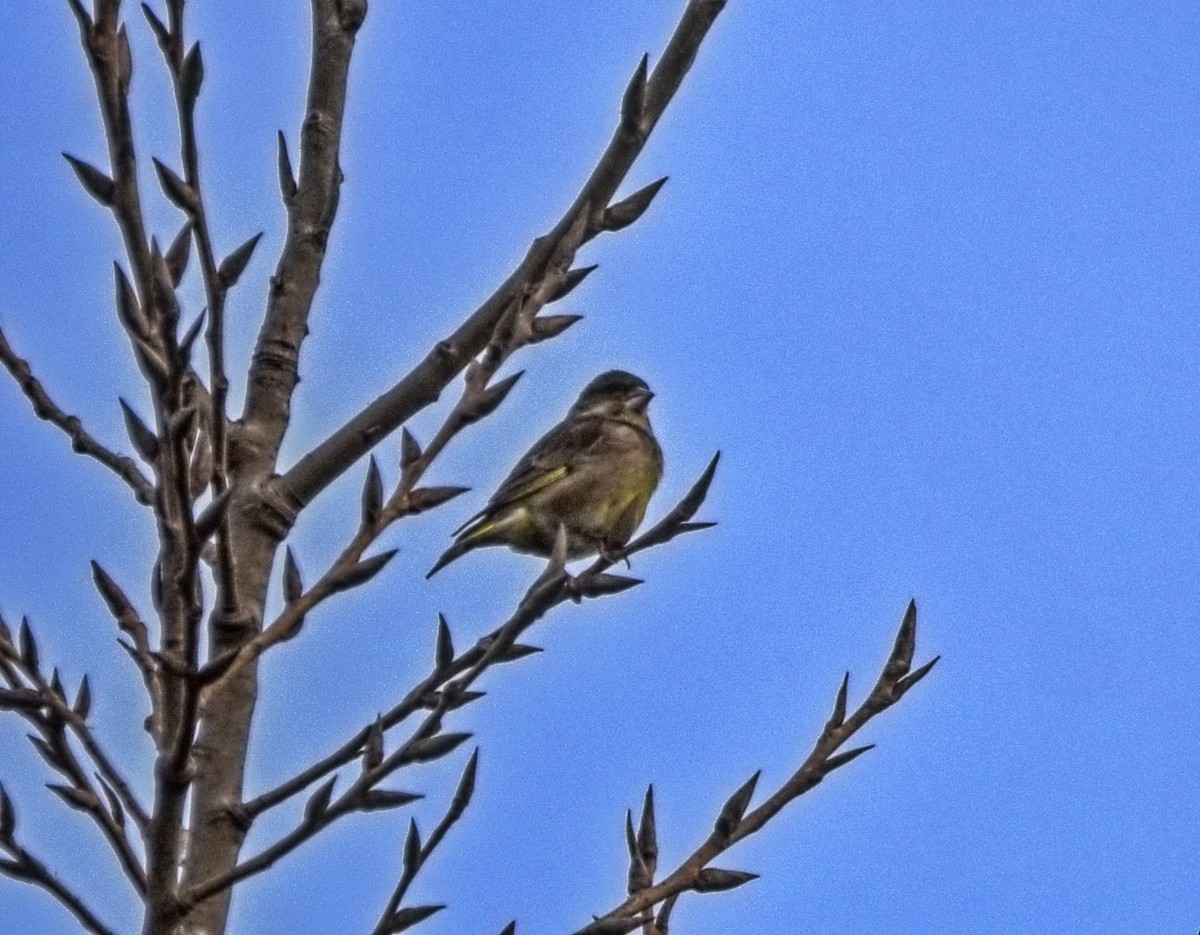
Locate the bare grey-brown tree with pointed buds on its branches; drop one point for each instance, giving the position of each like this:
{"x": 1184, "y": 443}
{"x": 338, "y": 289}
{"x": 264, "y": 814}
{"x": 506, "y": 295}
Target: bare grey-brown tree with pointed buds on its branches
{"x": 224, "y": 507}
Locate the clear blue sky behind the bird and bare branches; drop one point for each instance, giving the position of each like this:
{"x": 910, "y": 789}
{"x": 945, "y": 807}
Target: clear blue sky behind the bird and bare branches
{"x": 927, "y": 275}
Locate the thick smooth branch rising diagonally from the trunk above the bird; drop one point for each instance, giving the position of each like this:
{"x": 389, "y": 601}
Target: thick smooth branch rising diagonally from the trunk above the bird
{"x": 423, "y": 386}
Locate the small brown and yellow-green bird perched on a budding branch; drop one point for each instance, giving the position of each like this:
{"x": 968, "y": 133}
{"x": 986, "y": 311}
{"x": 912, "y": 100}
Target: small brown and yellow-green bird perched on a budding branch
{"x": 593, "y": 474}
